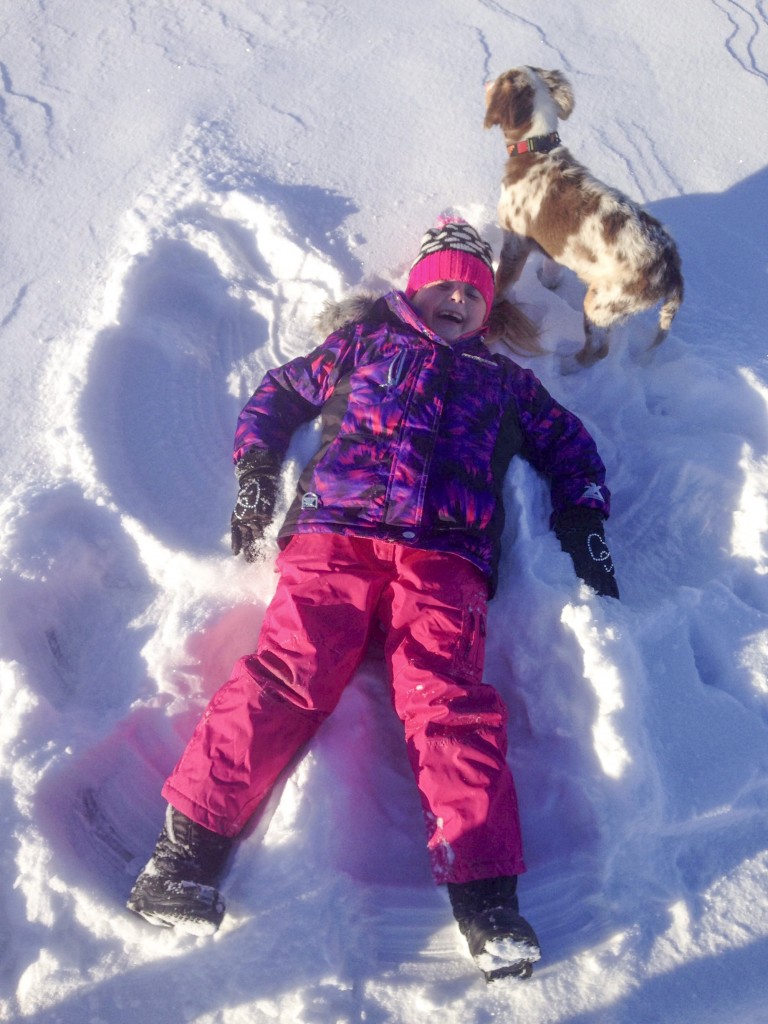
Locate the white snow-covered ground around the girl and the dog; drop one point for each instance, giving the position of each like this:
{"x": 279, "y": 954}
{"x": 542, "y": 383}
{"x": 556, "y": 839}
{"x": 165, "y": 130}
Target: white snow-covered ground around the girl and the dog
{"x": 186, "y": 184}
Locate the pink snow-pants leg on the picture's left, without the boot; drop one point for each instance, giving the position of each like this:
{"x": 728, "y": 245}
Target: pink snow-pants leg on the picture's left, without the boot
{"x": 314, "y": 637}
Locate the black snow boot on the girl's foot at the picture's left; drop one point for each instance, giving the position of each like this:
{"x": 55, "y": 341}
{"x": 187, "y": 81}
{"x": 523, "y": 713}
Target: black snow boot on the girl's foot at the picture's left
{"x": 178, "y": 888}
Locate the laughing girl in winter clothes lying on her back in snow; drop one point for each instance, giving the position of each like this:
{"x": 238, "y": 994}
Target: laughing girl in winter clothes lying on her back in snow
{"x": 397, "y": 523}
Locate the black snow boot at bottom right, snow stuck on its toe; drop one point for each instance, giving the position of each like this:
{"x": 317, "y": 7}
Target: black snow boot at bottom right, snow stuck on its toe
{"x": 501, "y": 943}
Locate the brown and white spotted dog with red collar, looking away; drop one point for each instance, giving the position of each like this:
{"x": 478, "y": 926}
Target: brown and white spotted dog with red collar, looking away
{"x": 550, "y": 202}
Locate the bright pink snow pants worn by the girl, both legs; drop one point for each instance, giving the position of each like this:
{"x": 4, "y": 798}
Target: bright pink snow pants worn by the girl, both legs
{"x": 333, "y": 592}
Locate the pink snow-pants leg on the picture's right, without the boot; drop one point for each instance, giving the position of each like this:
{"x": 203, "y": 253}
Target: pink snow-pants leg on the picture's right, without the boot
{"x": 455, "y": 724}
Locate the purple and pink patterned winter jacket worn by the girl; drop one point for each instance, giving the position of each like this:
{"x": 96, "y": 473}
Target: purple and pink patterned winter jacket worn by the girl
{"x": 416, "y": 437}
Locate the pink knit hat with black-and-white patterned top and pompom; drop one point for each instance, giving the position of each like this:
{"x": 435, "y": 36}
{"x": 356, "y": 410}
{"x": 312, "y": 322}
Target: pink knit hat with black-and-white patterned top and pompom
{"x": 454, "y": 251}
